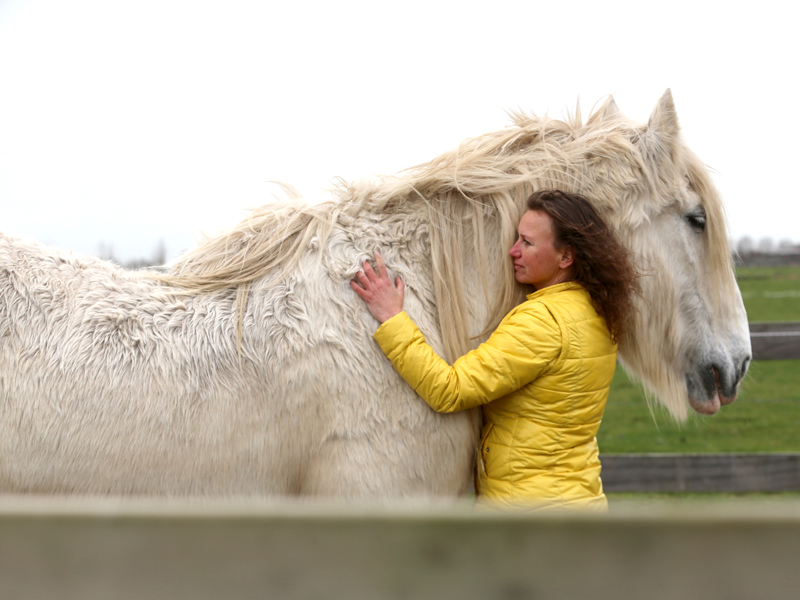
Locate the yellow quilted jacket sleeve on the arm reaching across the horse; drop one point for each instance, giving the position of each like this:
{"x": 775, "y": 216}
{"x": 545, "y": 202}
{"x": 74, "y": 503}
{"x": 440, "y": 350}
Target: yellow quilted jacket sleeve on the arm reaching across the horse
{"x": 519, "y": 350}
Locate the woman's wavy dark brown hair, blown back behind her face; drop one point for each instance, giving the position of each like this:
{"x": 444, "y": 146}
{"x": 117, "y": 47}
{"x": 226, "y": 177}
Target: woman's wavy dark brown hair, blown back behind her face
{"x": 601, "y": 263}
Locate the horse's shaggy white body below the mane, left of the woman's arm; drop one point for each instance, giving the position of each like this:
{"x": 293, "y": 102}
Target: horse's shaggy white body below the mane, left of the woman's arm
{"x": 112, "y": 383}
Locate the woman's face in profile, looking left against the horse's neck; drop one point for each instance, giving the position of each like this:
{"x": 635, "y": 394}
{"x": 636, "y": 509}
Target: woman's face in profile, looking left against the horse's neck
{"x": 536, "y": 260}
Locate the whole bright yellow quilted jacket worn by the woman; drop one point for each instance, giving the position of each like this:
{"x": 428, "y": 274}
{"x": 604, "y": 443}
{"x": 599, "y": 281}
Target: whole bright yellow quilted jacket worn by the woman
{"x": 542, "y": 379}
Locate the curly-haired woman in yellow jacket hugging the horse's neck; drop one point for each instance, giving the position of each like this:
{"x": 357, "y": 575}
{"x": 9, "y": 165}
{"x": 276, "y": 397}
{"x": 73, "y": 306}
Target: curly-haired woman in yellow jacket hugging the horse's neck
{"x": 543, "y": 376}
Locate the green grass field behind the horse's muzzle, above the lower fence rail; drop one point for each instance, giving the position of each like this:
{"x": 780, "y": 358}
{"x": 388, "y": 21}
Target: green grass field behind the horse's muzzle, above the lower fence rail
{"x": 765, "y": 417}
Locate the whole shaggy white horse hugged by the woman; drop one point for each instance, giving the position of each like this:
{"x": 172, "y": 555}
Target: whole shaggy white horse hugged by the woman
{"x": 249, "y": 369}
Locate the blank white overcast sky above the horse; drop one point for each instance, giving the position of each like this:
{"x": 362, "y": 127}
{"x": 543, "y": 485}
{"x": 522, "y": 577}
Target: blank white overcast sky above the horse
{"x": 131, "y": 122}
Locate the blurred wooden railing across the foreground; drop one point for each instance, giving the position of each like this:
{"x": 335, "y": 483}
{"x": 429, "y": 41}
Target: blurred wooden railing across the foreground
{"x": 138, "y": 549}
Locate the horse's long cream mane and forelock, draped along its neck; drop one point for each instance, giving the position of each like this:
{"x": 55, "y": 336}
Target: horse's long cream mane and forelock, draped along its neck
{"x": 484, "y": 181}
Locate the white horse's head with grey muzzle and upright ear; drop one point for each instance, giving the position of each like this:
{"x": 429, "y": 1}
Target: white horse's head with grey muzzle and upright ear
{"x": 689, "y": 342}
